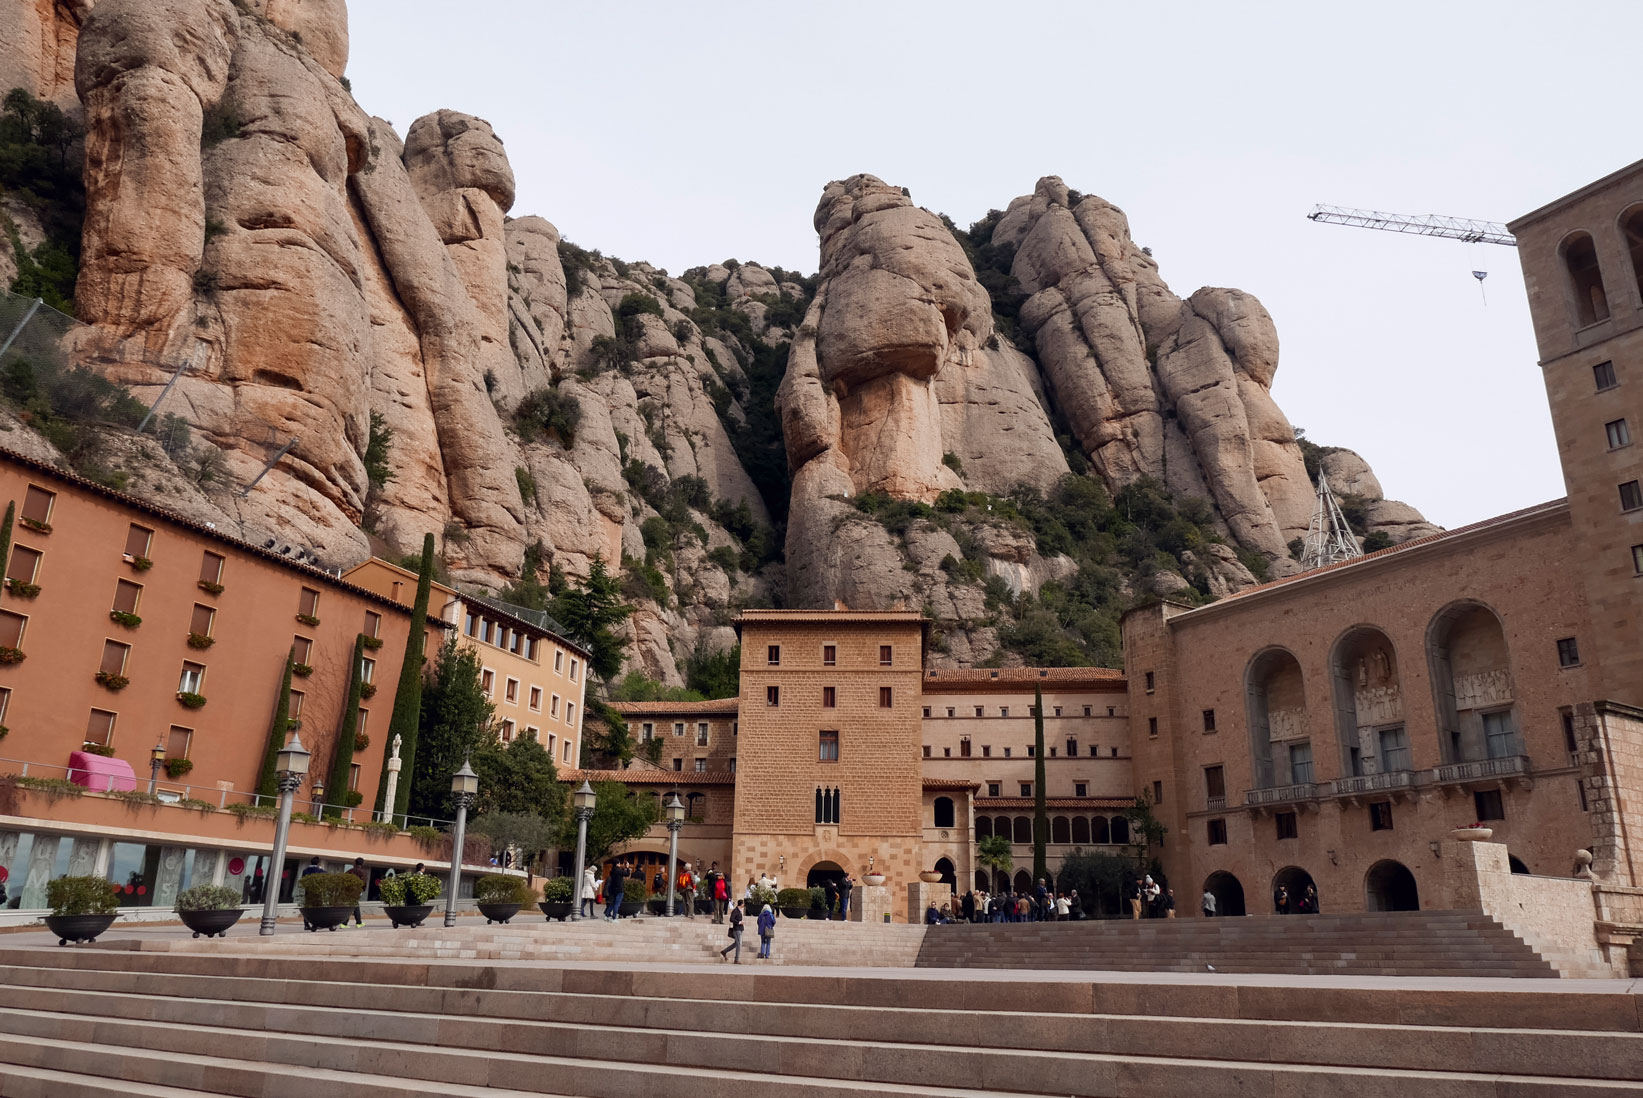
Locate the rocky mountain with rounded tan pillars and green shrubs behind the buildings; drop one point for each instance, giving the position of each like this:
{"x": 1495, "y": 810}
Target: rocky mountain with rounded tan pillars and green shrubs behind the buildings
{"x": 939, "y": 418}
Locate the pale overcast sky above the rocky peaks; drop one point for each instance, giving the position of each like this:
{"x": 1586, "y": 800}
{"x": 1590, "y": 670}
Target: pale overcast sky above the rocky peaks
{"x": 684, "y": 134}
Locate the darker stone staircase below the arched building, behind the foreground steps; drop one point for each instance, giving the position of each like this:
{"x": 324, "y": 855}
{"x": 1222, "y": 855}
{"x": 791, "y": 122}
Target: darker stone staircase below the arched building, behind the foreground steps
{"x": 1381, "y": 944}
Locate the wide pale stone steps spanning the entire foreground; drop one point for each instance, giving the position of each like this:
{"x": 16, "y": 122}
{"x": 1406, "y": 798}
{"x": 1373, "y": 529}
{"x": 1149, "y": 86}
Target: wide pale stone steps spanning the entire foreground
{"x": 81, "y": 1023}
